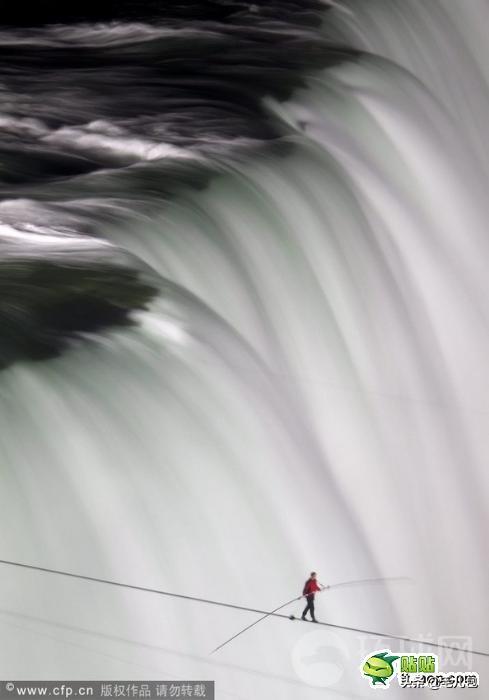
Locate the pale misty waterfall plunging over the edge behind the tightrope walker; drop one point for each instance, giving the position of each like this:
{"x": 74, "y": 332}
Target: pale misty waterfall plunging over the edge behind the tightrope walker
{"x": 320, "y": 402}
